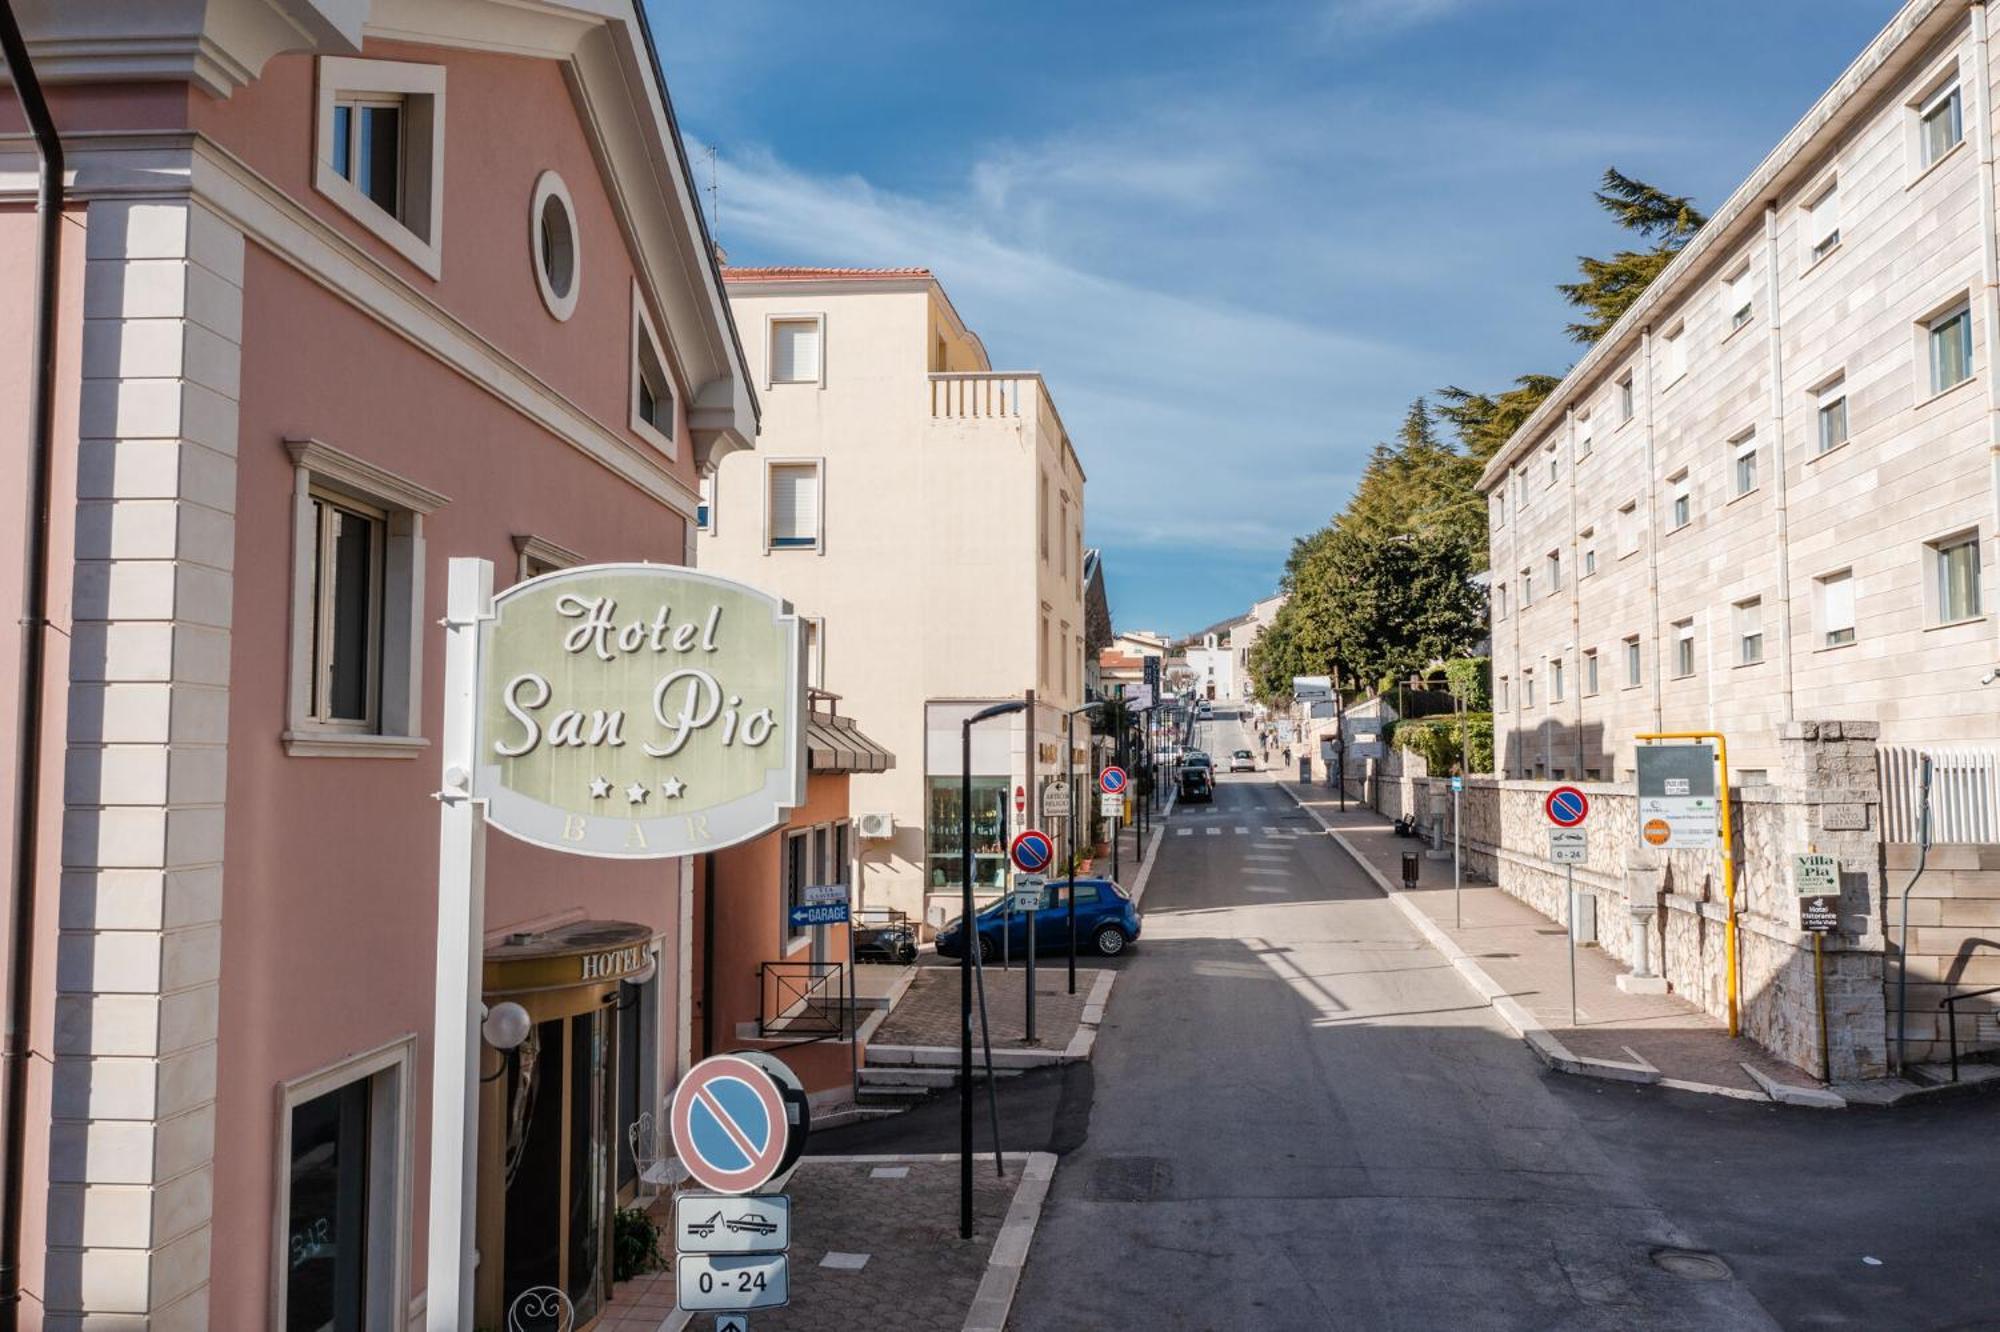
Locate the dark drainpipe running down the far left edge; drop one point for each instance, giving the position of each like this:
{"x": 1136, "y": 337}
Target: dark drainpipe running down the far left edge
{"x": 33, "y": 643}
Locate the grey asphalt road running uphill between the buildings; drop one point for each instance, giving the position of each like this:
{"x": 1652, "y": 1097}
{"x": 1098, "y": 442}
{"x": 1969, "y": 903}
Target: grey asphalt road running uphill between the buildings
{"x": 1299, "y": 1117}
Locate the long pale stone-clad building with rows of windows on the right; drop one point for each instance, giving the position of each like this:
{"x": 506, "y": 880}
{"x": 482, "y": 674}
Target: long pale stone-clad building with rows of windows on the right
{"x": 1769, "y": 493}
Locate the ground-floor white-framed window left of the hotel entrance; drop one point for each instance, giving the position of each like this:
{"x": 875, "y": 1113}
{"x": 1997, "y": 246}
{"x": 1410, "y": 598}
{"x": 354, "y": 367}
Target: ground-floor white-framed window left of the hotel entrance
{"x": 345, "y": 1193}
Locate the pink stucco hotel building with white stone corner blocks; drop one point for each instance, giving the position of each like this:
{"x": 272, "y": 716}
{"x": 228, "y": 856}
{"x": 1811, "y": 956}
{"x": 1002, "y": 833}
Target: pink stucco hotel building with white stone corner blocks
{"x": 347, "y": 289}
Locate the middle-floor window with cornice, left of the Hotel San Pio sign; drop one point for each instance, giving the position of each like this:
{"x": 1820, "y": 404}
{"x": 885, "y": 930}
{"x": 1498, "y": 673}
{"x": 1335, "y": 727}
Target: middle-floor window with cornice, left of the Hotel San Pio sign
{"x": 357, "y": 605}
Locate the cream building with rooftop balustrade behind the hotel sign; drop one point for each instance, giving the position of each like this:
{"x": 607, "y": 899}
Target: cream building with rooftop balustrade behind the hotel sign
{"x": 927, "y": 515}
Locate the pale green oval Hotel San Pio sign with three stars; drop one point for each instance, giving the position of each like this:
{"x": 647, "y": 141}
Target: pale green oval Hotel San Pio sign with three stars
{"x": 639, "y": 711}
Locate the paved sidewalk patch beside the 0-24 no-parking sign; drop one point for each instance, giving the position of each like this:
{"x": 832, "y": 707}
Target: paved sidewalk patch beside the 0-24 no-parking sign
{"x": 919, "y": 1277}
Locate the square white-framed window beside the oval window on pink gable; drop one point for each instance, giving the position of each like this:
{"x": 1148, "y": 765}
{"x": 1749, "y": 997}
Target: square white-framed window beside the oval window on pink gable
{"x": 381, "y": 151}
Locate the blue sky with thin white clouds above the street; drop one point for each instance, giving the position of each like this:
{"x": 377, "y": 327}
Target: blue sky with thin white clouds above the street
{"x": 1237, "y": 237}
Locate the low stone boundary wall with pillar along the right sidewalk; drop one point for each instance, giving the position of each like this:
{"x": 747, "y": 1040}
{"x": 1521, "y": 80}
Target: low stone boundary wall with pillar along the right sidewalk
{"x": 1823, "y": 799}
